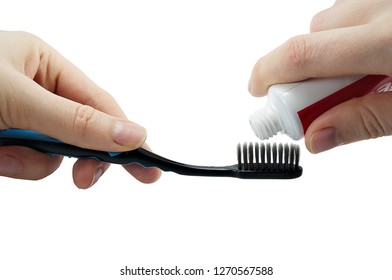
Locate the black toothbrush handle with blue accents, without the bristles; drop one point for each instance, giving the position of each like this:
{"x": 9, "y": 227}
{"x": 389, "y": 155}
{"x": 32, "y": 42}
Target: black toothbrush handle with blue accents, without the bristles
{"x": 143, "y": 157}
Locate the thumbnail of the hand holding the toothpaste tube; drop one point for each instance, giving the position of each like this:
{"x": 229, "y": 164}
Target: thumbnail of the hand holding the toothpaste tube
{"x": 325, "y": 139}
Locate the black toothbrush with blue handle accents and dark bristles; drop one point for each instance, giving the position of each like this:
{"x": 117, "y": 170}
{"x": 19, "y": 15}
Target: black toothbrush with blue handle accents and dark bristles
{"x": 255, "y": 161}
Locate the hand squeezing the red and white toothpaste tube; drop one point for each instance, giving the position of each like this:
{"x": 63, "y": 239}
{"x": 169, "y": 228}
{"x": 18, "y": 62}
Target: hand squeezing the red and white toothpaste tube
{"x": 351, "y": 38}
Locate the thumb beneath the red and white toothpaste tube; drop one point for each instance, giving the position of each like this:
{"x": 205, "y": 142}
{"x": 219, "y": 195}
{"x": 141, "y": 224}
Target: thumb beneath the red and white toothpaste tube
{"x": 358, "y": 119}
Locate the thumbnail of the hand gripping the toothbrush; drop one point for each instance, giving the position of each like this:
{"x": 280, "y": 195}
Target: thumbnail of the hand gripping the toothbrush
{"x": 129, "y": 134}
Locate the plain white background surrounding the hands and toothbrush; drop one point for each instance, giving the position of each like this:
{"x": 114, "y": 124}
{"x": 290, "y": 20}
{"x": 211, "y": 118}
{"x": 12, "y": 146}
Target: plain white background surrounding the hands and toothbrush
{"x": 181, "y": 68}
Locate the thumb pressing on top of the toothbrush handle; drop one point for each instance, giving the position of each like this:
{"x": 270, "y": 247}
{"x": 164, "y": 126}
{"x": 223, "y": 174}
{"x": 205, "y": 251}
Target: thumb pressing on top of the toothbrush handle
{"x": 30, "y": 106}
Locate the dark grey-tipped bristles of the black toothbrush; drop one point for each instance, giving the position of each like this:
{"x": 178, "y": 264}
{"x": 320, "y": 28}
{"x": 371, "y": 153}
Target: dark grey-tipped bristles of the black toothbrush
{"x": 267, "y": 157}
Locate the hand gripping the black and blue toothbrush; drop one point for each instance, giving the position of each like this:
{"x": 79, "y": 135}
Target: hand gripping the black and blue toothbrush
{"x": 42, "y": 91}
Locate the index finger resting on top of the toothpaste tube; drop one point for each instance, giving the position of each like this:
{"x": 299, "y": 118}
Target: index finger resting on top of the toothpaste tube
{"x": 330, "y": 53}
